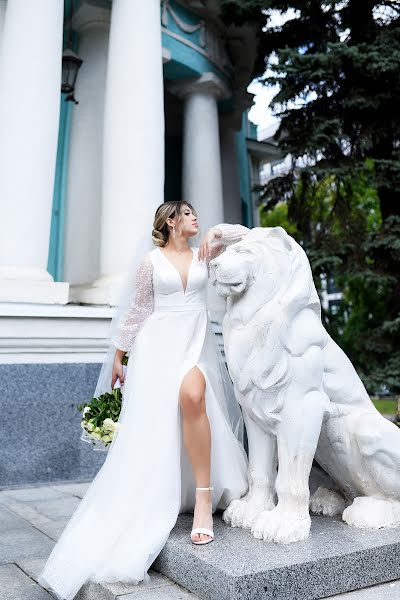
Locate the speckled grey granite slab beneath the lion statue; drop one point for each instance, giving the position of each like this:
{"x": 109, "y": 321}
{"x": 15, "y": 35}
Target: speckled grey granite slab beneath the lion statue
{"x": 335, "y": 559}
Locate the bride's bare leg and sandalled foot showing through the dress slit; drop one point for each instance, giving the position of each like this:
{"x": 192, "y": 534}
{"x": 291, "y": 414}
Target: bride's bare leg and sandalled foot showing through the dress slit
{"x": 197, "y": 439}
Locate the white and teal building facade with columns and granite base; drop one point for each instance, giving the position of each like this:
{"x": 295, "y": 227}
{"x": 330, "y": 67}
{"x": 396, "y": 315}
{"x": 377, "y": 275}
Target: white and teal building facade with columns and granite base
{"x": 162, "y": 115}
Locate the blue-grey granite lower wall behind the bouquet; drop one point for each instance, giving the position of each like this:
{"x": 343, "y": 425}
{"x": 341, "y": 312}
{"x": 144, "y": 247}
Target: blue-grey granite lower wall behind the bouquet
{"x": 40, "y": 424}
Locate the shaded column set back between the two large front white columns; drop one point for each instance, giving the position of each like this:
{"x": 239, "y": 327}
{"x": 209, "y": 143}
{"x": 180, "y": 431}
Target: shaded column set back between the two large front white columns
{"x": 83, "y": 206}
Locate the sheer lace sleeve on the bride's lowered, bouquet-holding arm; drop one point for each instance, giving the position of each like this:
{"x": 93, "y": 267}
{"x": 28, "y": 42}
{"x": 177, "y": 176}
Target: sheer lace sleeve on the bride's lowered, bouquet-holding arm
{"x": 140, "y": 307}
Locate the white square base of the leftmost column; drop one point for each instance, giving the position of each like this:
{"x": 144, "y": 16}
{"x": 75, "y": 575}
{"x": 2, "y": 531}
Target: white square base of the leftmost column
{"x": 38, "y": 292}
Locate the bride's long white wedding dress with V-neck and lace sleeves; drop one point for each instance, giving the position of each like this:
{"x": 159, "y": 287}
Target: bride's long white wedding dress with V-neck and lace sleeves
{"x": 128, "y": 511}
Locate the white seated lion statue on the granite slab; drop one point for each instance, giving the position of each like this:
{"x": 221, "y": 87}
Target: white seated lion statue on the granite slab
{"x": 301, "y": 398}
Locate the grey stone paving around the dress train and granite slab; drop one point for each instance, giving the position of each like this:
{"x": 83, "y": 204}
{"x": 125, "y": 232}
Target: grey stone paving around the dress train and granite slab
{"x": 31, "y": 520}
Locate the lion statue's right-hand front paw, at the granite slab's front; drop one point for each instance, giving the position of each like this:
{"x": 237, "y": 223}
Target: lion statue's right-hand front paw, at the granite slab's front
{"x": 280, "y": 527}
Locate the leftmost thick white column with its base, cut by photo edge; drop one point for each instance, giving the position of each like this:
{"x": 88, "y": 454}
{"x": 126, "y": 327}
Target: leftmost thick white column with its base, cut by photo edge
{"x": 30, "y": 82}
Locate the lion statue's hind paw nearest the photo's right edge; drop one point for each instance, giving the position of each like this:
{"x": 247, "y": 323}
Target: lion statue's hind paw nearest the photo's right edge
{"x": 372, "y": 513}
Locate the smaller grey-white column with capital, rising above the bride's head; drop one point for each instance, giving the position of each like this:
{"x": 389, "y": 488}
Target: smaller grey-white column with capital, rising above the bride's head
{"x": 201, "y": 169}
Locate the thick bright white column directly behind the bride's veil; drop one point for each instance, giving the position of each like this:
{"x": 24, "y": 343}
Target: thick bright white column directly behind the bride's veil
{"x": 133, "y": 163}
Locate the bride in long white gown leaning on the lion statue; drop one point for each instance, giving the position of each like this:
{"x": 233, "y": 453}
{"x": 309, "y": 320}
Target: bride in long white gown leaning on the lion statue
{"x": 176, "y": 388}
